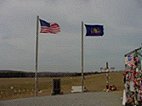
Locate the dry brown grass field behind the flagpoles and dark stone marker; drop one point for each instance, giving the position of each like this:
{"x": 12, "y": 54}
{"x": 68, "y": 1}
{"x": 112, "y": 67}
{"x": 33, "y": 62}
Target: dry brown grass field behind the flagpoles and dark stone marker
{"x": 11, "y": 88}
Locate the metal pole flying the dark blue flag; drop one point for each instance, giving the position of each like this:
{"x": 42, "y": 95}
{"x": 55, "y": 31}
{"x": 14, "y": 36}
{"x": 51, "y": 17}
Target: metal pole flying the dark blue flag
{"x": 82, "y": 56}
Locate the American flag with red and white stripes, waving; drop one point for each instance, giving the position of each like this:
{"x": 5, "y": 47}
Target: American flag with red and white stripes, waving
{"x": 47, "y": 27}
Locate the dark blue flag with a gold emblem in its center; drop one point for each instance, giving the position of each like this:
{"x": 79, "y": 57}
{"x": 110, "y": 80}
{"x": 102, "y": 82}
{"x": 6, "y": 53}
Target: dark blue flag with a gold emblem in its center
{"x": 94, "y": 30}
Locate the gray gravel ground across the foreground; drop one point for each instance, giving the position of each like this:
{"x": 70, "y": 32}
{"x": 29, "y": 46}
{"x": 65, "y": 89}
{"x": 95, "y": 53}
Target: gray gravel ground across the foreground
{"x": 77, "y": 99}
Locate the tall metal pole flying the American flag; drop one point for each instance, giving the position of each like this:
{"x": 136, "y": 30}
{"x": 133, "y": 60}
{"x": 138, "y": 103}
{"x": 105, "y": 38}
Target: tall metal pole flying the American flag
{"x": 36, "y": 58}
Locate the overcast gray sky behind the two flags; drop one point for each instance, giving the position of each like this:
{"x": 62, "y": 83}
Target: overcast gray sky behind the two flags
{"x": 122, "y": 20}
